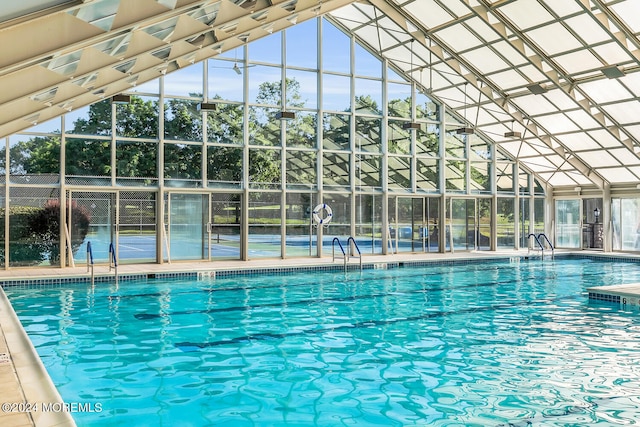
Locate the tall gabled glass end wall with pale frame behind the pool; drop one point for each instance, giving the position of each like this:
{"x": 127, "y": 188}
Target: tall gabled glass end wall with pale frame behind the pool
{"x": 160, "y": 175}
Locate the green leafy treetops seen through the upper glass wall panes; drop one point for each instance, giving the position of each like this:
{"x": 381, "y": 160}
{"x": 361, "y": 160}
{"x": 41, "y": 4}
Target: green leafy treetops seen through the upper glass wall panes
{"x": 91, "y": 156}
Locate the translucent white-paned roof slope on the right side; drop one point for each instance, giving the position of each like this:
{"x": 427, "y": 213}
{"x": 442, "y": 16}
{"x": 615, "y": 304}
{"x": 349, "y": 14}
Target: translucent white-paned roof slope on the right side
{"x": 561, "y": 74}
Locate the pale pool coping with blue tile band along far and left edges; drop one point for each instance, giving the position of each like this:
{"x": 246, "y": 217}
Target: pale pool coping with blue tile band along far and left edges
{"x": 34, "y": 382}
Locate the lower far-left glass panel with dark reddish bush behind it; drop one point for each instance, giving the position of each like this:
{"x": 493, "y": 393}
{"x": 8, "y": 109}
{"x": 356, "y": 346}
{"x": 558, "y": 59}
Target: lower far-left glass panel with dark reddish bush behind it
{"x": 34, "y": 228}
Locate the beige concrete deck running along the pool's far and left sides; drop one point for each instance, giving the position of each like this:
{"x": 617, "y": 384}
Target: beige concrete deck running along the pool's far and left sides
{"x": 25, "y": 380}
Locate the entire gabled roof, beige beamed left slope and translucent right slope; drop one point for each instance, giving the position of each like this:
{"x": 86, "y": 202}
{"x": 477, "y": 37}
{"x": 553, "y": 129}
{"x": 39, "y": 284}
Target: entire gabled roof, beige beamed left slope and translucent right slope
{"x": 554, "y": 83}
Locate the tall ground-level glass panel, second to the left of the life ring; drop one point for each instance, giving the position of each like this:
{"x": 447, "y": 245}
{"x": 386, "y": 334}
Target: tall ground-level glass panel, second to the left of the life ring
{"x": 264, "y": 225}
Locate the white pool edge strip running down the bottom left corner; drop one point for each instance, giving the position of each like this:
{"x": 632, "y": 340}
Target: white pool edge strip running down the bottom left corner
{"x": 37, "y": 388}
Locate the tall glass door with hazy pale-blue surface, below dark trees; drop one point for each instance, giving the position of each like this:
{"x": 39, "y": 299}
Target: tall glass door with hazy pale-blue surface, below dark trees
{"x": 187, "y": 235}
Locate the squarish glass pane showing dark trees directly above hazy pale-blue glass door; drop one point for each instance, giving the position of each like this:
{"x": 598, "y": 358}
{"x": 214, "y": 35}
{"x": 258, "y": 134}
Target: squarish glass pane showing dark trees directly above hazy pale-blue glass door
{"x": 183, "y": 165}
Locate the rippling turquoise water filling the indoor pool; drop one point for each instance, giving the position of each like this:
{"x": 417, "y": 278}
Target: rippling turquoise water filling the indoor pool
{"x": 495, "y": 344}
